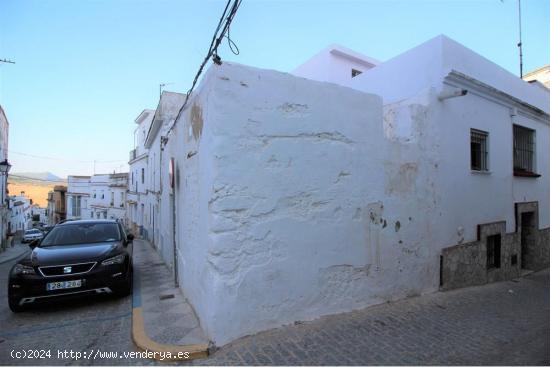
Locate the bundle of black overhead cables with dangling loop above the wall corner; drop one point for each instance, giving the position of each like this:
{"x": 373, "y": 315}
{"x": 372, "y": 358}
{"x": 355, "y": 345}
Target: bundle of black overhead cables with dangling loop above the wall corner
{"x": 222, "y": 31}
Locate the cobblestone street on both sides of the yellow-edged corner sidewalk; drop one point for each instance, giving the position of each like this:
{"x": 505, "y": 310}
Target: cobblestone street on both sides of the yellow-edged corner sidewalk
{"x": 505, "y": 323}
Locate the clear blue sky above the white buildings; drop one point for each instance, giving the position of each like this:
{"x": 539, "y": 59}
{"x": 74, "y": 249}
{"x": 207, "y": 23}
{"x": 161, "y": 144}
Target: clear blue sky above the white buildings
{"x": 85, "y": 69}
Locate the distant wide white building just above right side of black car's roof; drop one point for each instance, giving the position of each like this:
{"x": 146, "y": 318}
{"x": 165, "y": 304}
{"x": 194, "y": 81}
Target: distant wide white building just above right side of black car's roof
{"x": 108, "y": 196}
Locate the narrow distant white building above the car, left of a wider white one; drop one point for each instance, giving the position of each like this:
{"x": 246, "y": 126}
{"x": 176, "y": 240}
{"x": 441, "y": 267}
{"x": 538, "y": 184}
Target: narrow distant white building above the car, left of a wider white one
{"x": 78, "y": 197}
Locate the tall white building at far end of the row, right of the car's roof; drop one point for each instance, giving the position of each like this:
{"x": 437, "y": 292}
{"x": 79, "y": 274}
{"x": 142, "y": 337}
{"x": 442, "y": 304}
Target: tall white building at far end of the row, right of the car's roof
{"x": 138, "y": 218}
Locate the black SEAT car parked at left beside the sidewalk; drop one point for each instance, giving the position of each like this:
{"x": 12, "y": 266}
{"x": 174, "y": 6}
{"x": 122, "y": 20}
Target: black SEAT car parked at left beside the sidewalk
{"x": 74, "y": 258}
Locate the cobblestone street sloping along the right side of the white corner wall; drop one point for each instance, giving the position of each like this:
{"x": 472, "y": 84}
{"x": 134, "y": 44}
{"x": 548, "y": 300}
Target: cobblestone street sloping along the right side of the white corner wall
{"x": 497, "y": 324}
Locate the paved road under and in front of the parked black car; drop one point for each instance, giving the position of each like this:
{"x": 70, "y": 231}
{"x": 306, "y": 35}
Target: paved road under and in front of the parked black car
{"x": 92, "y": 323}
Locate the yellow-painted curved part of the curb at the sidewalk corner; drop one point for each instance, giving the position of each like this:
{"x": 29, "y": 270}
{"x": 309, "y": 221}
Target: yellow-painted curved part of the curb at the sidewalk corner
{"x": 177, "y": 352}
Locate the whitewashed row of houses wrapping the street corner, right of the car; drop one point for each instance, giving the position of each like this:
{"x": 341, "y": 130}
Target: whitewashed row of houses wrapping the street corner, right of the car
{"x": 278, "y": 197}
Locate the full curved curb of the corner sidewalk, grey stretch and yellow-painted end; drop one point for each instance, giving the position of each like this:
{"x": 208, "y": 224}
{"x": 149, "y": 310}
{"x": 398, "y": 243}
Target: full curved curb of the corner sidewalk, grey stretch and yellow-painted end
{"x": 163, "y": 352}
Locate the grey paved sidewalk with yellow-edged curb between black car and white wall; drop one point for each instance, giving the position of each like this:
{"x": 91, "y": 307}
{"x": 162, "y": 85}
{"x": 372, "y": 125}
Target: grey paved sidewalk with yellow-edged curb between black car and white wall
{"x": 162, "y": 318}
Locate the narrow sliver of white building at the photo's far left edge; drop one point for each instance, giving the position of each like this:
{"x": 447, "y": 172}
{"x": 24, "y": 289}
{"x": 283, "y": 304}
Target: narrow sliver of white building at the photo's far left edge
{"x": 4, "y": 165}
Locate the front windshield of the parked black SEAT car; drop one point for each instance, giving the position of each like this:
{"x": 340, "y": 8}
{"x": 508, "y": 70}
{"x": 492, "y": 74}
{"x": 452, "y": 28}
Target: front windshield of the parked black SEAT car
{"x": 79, "y": 233}
